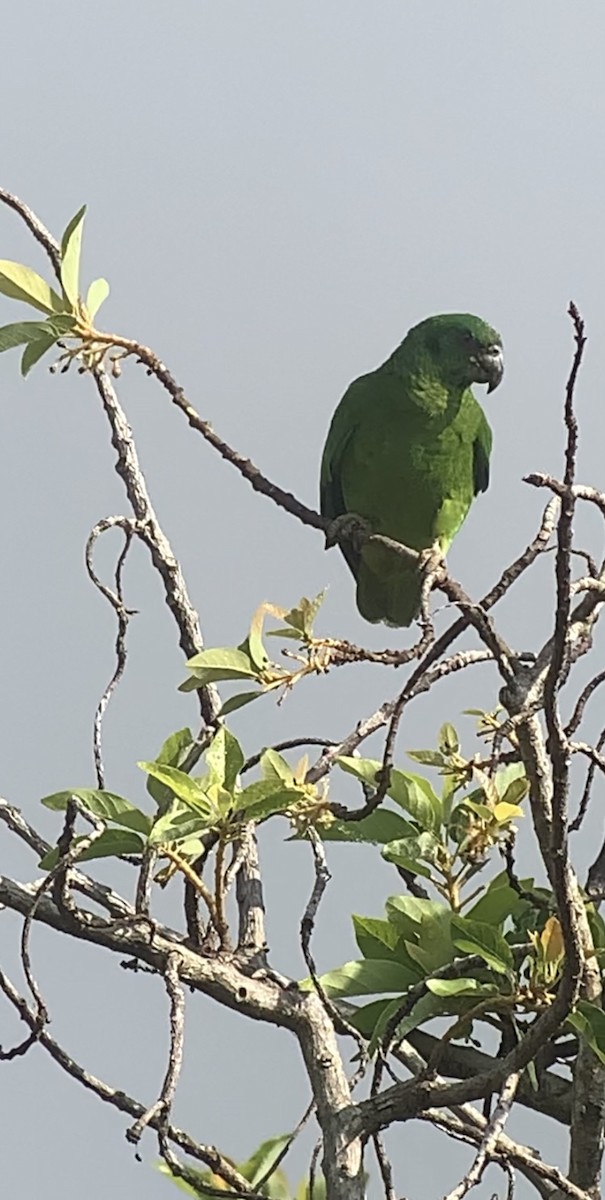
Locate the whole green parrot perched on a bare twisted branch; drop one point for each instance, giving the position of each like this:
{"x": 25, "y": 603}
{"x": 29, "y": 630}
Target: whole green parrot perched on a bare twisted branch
{"x": 408, "y": 451}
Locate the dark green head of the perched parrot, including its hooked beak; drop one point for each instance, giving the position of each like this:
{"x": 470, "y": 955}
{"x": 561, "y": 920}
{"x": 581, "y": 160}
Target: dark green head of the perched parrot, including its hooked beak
{"x": 465, "y": 349}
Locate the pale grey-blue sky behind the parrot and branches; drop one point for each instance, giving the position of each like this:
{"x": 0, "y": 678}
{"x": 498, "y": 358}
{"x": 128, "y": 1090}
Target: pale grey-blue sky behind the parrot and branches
{"x": 277, "y": 194}
